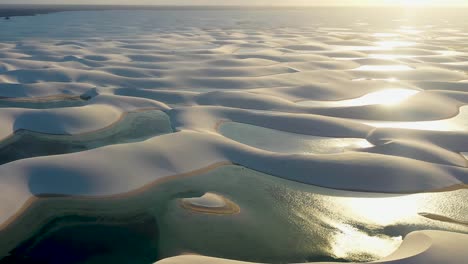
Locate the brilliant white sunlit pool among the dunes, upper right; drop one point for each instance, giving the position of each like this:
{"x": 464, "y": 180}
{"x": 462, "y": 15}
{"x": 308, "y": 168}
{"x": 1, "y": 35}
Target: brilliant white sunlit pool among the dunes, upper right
{"x": 383, "y": 97}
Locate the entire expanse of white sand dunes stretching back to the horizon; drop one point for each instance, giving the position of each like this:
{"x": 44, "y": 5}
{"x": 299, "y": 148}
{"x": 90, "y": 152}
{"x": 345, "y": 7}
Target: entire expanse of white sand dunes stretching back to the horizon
{"x": 370, "y": 105}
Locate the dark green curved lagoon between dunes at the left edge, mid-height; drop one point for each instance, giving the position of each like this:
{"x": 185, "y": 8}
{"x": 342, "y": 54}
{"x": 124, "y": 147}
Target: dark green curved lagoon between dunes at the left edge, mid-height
{"x": 134, "y": 127}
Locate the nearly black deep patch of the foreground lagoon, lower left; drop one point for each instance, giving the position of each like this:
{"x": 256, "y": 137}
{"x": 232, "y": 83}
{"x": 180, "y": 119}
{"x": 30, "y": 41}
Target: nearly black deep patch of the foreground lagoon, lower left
{"x": 84, "y": 239}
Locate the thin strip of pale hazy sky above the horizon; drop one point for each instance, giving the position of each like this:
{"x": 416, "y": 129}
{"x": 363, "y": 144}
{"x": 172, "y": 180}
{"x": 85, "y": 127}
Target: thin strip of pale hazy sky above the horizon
{"x": 248, "y": 2}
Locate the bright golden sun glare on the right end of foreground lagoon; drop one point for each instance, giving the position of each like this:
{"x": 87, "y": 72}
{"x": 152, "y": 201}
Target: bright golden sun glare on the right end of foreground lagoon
{"x": 367, "y": 226}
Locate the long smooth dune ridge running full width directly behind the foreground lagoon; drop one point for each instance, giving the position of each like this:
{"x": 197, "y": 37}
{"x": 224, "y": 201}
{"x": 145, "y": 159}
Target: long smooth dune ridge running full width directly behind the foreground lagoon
{"x": 104, "y": 171}
